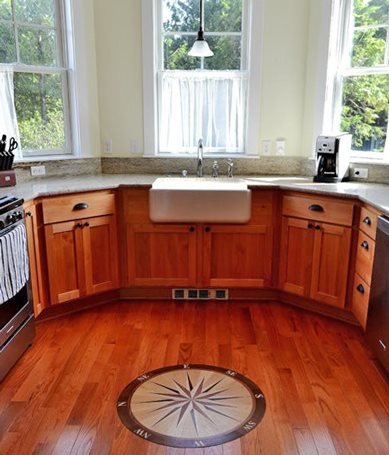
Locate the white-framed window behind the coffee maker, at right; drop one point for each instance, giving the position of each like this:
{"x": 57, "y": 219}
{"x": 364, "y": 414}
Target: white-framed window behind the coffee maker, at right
{"x": 361, "y": 76}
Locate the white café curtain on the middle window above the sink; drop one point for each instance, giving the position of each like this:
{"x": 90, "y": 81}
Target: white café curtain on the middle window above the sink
{"x": 202, "y": 104}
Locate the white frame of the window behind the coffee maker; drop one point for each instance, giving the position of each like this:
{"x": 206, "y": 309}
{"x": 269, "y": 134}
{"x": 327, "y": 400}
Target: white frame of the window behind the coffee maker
{"x": 340, "y": 44}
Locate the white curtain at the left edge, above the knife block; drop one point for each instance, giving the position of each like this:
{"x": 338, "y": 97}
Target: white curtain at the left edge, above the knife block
{"x": 8, "y": 120}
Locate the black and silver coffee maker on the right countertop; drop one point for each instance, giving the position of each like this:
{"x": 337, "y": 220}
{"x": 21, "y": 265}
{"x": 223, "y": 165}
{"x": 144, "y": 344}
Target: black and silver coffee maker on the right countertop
{"x": 333, "y": 158}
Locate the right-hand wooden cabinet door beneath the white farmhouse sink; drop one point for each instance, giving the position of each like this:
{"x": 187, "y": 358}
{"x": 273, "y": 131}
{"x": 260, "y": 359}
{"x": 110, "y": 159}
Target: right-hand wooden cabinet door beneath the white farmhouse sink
{"x": 237, "y": 256}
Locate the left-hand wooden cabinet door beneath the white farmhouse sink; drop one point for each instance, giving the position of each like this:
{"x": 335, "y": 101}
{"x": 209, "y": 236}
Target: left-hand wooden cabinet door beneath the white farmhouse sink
{"x": 161, "y": 255}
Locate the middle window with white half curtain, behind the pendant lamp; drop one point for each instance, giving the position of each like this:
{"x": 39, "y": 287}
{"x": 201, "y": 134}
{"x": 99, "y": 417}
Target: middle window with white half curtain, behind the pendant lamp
{"x": 199, "y": 97}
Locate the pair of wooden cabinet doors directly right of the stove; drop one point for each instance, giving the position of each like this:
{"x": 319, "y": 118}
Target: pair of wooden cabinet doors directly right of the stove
{"x": 82, "y": 257}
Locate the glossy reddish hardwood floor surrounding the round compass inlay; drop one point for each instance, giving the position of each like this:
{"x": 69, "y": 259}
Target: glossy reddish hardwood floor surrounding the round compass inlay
{"x": 324, "y": 392}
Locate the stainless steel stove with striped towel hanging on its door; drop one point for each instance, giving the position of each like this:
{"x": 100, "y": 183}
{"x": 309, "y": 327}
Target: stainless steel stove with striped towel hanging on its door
{"x": 16, "y": 310}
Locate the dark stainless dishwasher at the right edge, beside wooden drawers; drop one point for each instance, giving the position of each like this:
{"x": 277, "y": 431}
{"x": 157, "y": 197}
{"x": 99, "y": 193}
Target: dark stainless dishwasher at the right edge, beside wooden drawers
{"x": 377, "y": 330}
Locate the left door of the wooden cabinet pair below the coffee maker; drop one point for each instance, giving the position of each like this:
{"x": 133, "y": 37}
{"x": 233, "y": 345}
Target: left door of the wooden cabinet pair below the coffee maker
{"x": 297, "y": 239}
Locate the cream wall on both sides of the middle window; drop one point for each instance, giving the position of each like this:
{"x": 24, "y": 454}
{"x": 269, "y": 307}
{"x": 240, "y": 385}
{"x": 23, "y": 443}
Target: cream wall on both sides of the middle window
{"x": 287, "y": 88}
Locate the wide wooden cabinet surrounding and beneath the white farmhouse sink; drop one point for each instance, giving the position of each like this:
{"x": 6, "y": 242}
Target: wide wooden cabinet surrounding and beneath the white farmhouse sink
{"x": 198, "y": 255}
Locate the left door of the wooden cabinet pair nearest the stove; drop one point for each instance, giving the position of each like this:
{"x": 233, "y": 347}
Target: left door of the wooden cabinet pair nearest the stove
{"x": 64, "y": 248}
